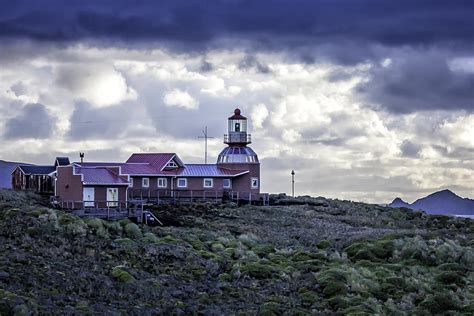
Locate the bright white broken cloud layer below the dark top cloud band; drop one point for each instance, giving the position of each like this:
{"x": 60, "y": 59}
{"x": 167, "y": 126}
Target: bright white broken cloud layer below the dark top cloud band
{"x": 303, "y": 116}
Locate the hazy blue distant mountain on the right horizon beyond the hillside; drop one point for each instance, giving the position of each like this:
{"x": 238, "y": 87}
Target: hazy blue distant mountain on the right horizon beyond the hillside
{"x": 441, "y": 202}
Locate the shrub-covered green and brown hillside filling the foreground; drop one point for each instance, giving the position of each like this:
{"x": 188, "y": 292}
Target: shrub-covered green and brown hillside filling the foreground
{"x": 301, "y": 256}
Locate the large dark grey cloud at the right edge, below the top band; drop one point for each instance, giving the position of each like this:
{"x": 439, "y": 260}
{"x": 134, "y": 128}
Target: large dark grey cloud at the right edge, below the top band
{"x": 420, "y": 82}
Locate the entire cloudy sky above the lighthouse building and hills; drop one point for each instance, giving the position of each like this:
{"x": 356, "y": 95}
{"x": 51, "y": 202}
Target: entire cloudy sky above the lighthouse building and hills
{"x": 366, "y": 100}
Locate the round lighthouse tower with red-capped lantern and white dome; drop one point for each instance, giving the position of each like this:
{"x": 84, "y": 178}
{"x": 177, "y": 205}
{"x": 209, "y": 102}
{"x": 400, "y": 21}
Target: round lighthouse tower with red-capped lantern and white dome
{"x": 239, "y": 156}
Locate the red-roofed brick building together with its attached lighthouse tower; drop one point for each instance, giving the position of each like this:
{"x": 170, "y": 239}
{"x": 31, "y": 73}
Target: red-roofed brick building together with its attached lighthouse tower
{"x": 156, "y": 177}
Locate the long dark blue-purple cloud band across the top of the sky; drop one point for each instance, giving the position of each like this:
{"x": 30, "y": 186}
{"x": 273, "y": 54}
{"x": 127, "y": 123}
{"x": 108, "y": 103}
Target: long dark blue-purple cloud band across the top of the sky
{"x": 275, "y": 23}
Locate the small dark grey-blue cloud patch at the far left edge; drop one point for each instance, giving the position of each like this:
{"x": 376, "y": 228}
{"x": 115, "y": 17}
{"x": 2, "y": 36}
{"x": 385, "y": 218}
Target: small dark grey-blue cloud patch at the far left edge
{"x": 34, "y": 121}
